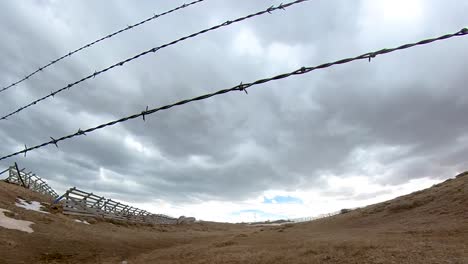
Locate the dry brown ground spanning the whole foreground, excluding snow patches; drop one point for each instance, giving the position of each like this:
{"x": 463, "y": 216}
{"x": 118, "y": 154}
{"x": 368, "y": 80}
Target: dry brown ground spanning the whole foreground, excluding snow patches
{"x": 429, "y": 226}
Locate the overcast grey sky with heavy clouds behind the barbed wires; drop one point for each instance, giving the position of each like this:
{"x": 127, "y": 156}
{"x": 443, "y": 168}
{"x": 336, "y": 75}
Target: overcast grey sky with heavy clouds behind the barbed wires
{"x": 336, "y": 138}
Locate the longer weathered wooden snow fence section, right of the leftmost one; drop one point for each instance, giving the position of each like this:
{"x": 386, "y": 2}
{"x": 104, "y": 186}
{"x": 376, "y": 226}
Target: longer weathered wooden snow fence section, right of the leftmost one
{"x": 81, "y": 203}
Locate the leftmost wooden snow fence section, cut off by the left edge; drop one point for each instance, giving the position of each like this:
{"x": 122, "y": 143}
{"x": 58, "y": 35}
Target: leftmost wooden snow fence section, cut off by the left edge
{"x": 29, "y": 180}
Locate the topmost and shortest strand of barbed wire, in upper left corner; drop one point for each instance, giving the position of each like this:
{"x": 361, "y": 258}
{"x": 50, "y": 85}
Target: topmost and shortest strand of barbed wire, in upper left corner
{"x": 97, "y": 41}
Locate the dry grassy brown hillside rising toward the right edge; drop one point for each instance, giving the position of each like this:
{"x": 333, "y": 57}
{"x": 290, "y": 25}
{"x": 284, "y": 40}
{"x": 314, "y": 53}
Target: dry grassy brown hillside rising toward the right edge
{"x": 428, "y": 226}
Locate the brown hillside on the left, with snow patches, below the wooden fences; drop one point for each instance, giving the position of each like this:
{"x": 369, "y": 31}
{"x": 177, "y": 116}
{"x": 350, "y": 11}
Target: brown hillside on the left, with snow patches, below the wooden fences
{"x": 60, "y": 239}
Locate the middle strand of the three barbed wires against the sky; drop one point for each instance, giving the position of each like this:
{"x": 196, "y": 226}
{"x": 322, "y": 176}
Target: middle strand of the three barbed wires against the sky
{"x": 153, "y": 50}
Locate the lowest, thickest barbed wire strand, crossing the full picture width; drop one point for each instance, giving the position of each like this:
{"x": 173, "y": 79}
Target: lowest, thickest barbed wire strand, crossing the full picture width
{"x": 241, "y": 87}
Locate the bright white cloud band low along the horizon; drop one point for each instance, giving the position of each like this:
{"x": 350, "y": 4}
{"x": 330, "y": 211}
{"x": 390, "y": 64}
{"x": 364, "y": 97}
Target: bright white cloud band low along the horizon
{"x": 315, "y": 202}
